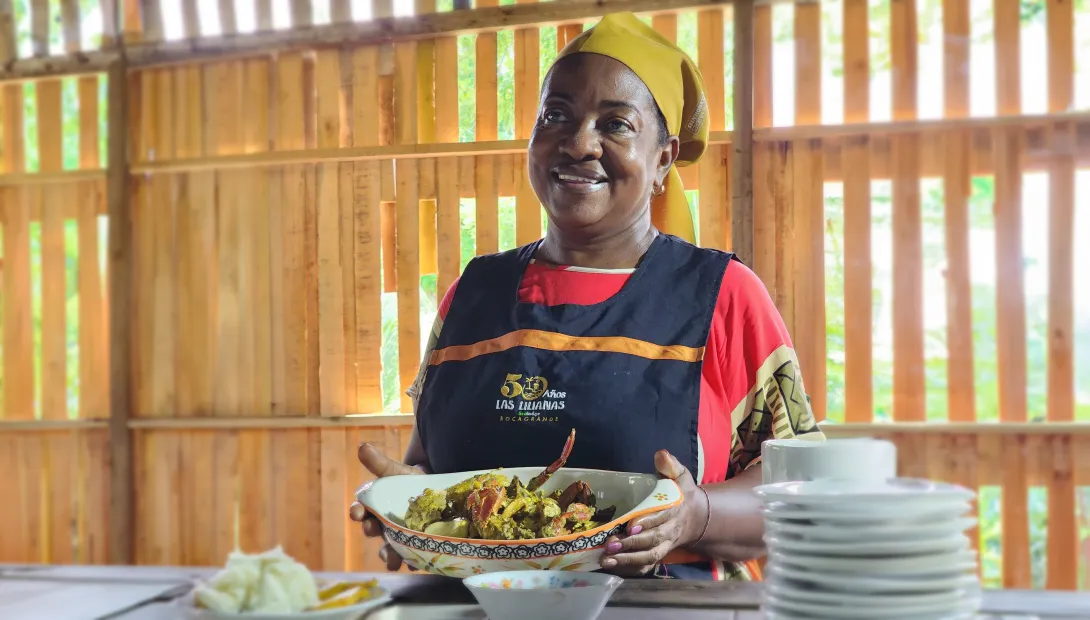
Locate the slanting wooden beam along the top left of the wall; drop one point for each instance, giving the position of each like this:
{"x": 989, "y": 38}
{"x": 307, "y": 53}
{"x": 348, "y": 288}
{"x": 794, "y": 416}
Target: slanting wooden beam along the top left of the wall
{"x": 425, "y": 27}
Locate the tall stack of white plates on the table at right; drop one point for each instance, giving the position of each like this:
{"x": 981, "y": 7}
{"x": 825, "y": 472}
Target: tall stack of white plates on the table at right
{"x": 893, "y": 550}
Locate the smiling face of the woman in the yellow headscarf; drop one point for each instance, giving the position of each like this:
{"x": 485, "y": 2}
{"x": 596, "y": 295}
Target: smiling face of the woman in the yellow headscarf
{"x": 596, "y": 151}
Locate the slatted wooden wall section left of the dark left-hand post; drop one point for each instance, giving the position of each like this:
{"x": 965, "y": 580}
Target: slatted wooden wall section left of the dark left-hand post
{"x": 60, "y": 493}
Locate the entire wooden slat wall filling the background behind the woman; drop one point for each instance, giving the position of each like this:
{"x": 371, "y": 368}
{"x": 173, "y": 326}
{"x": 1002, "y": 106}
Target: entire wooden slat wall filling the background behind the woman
{"x": 276, "y": 185}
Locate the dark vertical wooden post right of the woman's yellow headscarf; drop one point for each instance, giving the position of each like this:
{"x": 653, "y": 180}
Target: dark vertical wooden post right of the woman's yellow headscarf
{"x": 742, "y": 196}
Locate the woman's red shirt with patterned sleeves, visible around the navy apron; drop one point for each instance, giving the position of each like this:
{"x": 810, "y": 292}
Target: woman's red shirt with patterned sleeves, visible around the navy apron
{"x": 747, "y": 358}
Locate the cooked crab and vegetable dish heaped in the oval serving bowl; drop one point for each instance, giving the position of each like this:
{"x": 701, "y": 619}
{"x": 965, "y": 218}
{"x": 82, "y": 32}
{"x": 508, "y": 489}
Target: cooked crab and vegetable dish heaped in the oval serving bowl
{"x": 491, "y": 507}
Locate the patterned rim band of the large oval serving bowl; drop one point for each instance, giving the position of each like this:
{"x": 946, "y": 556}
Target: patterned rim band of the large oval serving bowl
{"x": 650, "y": 505}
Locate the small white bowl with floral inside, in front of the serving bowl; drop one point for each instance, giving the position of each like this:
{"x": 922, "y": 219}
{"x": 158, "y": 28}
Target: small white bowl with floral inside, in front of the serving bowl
{"x": 543, "y": 595}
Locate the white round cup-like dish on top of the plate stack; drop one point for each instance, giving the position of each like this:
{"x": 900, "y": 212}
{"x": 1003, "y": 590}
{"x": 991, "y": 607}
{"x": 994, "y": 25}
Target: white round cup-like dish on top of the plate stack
{"x": 855, "y": 459}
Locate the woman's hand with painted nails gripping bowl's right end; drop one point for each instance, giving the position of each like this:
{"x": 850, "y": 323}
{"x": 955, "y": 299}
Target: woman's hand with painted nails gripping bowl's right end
{"x": 650, "y": 539}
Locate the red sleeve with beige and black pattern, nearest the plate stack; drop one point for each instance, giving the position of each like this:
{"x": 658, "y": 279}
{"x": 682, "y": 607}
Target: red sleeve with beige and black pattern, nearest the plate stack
{"x": 776, "y": 406}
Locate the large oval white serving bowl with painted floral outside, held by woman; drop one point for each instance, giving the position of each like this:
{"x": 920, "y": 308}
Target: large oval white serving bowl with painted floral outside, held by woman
{"x": 635, "y": 495}
